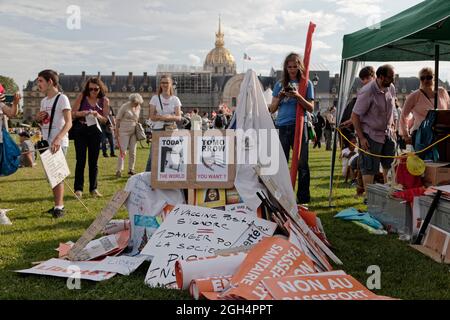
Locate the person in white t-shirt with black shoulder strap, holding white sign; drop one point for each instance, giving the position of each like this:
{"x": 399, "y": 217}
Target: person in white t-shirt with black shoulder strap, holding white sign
{"x": 54, "y": 131}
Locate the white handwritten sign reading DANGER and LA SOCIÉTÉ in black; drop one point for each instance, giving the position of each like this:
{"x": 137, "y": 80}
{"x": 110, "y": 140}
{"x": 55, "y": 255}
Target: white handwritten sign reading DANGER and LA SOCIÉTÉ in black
{"x": 190, "y": 232}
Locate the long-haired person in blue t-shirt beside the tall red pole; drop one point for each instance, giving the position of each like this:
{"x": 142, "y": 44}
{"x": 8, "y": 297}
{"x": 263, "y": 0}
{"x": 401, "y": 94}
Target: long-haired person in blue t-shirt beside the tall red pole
{"x": 286, "y": 99}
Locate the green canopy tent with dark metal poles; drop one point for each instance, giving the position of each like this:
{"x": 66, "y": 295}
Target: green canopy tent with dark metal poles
{"x": 420, "y": 33}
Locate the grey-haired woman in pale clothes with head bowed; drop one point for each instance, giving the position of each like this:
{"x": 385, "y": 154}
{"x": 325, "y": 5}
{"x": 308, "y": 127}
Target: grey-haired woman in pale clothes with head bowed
{"x": 126, "y": 120}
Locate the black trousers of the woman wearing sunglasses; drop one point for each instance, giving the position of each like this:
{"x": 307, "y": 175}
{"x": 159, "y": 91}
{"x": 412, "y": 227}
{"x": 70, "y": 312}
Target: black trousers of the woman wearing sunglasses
{"x": 87, "y": 142}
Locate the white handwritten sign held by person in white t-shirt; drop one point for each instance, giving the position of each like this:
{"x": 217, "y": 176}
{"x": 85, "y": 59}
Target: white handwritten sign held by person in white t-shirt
{"x": 55, "y": 167}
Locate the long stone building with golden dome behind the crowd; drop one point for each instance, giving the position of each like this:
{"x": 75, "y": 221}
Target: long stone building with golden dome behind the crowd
{"x": 203, "y": 88}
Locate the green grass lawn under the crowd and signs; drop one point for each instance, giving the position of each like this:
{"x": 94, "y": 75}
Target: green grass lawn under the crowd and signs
{"x": 34, "y": 235}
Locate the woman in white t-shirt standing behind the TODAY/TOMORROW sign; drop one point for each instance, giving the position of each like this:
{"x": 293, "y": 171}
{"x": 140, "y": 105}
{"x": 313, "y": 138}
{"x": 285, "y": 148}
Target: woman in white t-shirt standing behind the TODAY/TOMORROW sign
{"x": 165, "y": 110}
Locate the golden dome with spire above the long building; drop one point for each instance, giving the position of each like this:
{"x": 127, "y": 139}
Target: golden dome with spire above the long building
{"x": 219, "y": 60}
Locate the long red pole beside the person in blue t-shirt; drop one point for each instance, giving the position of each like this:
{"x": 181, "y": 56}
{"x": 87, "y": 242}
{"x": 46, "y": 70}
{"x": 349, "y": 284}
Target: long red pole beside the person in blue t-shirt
{"x": 300, "y": 119}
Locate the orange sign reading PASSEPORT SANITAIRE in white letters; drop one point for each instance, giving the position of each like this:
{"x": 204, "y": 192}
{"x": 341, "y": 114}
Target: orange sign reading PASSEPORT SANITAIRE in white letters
{"x": 272, "y": 258}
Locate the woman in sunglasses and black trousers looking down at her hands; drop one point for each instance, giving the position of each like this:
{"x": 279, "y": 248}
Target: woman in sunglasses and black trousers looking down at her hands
{"x": 90, "y": 108}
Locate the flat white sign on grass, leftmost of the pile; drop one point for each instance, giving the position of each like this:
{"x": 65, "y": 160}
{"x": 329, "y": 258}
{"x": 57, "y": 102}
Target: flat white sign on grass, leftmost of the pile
{"x": 65, "y": 269}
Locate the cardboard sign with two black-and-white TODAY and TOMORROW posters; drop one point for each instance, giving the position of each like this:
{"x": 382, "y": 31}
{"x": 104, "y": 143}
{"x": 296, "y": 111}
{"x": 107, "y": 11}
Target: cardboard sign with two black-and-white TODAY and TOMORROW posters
{"x": 193, "y": 159}
